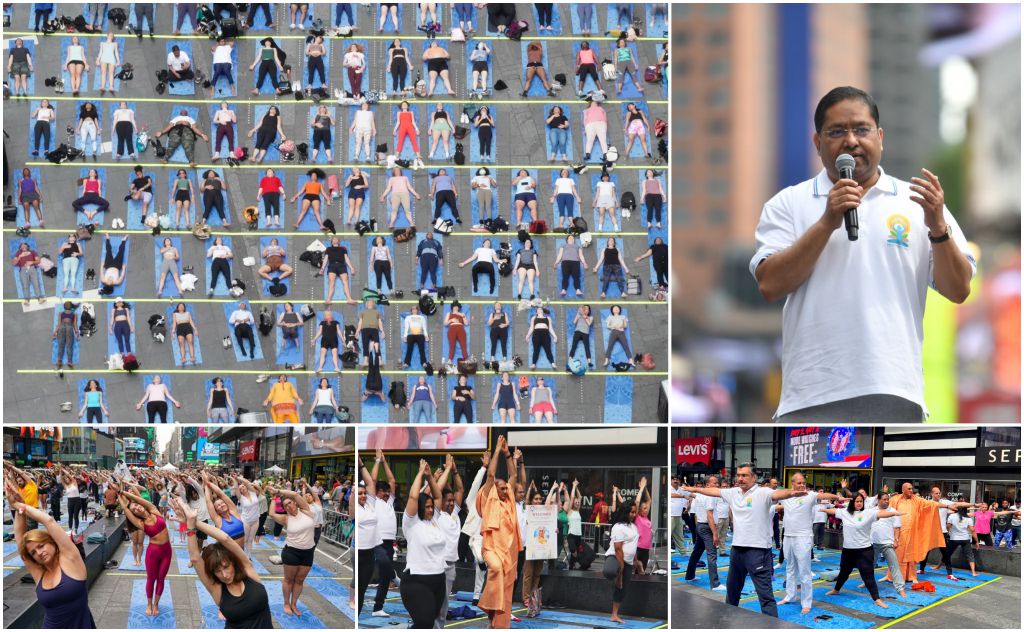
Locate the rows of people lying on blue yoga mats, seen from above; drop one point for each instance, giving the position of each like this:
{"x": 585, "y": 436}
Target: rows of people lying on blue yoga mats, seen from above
{"x": 580, "y": 233}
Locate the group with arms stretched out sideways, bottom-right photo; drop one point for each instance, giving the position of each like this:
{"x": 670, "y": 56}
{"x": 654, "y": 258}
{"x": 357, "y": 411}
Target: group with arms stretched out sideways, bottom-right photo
{"x": 895, "y": 529}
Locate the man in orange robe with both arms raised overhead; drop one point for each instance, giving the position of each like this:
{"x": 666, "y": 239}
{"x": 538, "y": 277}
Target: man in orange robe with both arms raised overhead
{"x": 500, "y": 529}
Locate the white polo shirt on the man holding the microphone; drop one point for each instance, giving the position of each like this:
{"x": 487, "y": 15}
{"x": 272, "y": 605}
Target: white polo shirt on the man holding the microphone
{"x": 855, "y": 327}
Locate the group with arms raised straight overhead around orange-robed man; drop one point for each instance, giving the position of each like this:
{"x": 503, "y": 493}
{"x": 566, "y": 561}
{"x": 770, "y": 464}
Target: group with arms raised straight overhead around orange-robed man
{"x": 447, "y": 518}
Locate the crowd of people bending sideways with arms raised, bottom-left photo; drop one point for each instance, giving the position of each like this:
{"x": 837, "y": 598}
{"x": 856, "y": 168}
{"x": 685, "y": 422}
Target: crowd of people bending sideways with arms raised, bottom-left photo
{"x": 221, "y": 516}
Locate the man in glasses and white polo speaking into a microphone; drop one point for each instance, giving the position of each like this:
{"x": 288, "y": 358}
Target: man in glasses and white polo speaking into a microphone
{"x": 852, "y": 330}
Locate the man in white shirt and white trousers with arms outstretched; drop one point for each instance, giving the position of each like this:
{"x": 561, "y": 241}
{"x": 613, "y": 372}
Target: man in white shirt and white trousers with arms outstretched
{"x": 798, "y": 516}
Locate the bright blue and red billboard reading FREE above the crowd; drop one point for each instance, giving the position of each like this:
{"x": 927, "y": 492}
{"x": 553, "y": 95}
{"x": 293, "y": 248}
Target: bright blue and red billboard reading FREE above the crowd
{"x": 840, "y": 447}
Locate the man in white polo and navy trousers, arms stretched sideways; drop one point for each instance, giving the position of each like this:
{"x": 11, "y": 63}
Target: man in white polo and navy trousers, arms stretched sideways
{"x": 751, "y": 507}
